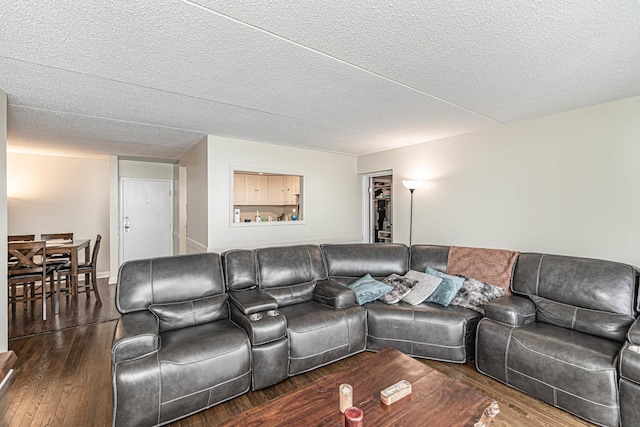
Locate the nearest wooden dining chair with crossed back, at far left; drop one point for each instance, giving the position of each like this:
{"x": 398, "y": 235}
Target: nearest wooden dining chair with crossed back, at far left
{"x": 31, "y": 273}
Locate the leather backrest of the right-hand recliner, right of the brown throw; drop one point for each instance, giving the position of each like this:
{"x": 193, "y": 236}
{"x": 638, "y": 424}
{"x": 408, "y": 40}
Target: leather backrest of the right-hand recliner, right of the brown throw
{"x": 590, "y": 295}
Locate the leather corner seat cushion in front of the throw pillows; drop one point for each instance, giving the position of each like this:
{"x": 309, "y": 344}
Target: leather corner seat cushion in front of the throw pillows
{"x": 425, "y": 330}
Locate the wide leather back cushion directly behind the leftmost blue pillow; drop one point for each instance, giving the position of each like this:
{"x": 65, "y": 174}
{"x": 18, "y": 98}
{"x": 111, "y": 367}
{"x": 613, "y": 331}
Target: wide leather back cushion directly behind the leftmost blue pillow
{"x": 358, "y": 259}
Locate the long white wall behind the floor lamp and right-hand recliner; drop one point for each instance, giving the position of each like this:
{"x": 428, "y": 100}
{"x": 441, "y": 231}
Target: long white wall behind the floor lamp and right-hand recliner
{"x": 565, "y": 184}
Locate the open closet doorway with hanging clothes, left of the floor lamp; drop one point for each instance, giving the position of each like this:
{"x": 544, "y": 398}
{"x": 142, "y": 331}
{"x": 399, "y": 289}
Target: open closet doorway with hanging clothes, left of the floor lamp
{"x": 380, "y": 208}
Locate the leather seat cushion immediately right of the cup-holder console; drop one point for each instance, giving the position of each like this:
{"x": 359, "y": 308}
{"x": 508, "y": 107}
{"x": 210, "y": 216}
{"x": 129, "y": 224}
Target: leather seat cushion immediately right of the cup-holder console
{"x": 319, "y": 334}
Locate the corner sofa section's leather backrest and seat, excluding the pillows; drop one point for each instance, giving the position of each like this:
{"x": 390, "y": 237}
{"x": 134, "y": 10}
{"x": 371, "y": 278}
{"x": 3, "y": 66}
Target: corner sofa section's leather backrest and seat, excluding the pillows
{"x": 426, "y": 330}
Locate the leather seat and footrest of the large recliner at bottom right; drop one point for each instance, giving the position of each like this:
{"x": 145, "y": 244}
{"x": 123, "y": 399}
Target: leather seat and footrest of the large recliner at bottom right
{"x": 569, "y": 369}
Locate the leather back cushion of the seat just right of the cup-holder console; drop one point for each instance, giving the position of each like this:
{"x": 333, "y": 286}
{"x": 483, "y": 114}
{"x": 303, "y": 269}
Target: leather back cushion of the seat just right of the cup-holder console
{"x": 289, "y": 265}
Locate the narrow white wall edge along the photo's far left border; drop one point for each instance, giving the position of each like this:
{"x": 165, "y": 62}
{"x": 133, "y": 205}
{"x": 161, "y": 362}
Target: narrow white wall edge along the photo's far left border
{"x": 4, "y": 312}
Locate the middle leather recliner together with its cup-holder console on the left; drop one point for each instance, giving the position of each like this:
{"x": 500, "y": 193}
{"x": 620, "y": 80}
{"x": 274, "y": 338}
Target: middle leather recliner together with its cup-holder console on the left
{"x": 317, "y": 321}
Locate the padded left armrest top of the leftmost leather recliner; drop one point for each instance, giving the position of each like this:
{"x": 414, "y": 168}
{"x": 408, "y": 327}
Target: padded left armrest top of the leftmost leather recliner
{"x": 136, "y": 334}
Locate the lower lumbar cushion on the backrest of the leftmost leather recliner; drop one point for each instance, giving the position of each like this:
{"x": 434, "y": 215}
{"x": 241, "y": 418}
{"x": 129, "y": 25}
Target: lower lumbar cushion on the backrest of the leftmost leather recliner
{"x": 190, "y": 313}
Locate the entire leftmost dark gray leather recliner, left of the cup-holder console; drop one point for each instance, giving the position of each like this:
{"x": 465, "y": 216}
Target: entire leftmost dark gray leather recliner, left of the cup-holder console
{"x": 175, "y": 351}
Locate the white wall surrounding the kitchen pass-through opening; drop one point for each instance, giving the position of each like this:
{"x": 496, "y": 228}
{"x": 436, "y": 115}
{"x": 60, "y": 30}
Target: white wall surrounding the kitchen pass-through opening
{"x": 333, "y": 211}
